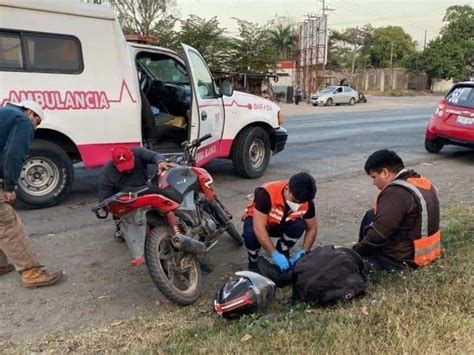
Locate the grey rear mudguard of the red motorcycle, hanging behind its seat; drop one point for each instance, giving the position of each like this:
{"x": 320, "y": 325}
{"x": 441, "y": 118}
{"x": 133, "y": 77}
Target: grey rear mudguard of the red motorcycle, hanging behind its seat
{"x": 133, "y": 227}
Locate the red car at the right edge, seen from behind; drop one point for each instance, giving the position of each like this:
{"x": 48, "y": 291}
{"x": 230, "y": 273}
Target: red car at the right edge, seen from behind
{"x": 453, "y": 121}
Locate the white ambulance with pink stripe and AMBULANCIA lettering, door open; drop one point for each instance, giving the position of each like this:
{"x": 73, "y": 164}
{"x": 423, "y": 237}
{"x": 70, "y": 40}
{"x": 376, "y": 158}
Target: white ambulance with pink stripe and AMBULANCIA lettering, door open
{"x": 100, "y": 91}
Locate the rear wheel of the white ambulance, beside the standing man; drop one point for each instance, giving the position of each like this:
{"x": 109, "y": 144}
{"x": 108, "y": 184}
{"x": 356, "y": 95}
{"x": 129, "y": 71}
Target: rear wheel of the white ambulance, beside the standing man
{"x": 46, "y": 177}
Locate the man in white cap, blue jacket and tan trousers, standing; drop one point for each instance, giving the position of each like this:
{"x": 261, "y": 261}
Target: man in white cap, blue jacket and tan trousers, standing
{"x": 17, "y": 125}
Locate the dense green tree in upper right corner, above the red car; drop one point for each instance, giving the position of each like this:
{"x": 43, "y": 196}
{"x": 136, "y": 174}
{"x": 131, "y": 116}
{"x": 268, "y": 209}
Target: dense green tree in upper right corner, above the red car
{"x": 450, "y": 56}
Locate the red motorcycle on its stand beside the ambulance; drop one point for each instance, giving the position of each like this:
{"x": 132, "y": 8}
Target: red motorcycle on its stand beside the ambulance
{"x": 170, "y": 222}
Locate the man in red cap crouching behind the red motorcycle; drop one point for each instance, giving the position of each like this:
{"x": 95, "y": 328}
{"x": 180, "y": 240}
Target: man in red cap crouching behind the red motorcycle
{"x": 128, "y": 170}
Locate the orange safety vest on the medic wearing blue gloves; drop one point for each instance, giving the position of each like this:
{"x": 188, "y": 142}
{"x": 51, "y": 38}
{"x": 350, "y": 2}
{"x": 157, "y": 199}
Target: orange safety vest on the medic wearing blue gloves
{"x": 275, "y": 190}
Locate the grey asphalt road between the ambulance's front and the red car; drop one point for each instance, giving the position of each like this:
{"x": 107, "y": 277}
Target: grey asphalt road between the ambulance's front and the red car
{"x": 339, "y": 142}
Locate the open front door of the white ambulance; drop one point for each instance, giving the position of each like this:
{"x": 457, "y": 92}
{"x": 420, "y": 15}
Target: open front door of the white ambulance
{"x": 207, "y": 111}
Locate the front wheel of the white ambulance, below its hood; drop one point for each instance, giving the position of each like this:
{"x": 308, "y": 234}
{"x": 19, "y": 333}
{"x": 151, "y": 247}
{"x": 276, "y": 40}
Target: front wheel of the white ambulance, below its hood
{"x": 251, "y": 152}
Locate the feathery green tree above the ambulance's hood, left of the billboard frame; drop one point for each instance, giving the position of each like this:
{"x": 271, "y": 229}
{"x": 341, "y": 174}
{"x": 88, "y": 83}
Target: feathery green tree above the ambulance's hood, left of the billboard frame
{"x": 253, "y": 50}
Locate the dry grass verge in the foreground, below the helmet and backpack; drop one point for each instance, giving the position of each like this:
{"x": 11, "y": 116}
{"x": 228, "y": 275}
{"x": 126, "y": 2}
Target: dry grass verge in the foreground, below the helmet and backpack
{"x": 425, "y": 311}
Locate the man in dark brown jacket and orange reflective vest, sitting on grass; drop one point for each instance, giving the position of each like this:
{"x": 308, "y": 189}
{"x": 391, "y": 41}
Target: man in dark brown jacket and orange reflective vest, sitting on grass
{"x": 403, "y": 228}
